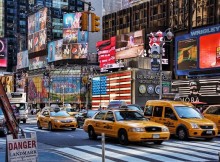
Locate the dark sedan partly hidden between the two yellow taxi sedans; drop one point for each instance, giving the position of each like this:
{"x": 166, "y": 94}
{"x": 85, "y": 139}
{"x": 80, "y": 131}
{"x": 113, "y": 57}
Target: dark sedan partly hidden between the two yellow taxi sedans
{"x": 81, "y": 116}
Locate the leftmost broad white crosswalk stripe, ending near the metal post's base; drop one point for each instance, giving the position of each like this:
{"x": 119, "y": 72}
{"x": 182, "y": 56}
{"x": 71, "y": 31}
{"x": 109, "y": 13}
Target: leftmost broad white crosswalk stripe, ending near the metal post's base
{"x": 82, "y": 154}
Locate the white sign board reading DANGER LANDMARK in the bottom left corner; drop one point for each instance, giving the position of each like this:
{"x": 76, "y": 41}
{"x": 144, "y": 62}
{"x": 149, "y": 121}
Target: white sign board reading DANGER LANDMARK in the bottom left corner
{"x": 23, "y": 149}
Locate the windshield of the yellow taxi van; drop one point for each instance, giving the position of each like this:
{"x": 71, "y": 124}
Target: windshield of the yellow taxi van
{"x": 187, "y": 112}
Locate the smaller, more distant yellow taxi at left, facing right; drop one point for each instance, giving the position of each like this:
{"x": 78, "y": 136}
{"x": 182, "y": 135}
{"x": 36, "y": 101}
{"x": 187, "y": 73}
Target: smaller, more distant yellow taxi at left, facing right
{"x": 55, "y": 119}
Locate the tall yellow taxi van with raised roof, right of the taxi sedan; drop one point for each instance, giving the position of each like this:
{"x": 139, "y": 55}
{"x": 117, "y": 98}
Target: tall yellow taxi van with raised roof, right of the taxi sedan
{"x": 182, "y": 119}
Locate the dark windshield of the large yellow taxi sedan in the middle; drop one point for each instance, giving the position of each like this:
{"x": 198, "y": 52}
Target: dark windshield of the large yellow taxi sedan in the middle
{"x": 128, "y": 115}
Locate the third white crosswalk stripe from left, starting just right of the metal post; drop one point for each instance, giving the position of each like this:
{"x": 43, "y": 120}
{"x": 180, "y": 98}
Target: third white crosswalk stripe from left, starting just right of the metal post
{"x": 135, "y": 151}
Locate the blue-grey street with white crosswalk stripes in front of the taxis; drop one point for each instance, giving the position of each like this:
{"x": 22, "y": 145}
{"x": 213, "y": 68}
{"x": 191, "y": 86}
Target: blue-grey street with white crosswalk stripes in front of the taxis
{"x": 68, "y": 146}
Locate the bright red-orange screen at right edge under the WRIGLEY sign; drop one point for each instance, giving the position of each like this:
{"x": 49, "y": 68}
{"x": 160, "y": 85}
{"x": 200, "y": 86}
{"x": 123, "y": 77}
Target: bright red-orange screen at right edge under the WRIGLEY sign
{"x": 209, "y": 51}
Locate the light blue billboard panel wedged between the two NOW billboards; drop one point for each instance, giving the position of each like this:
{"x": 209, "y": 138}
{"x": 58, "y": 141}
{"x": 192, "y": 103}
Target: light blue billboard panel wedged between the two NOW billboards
{"x": 55, "y": 50}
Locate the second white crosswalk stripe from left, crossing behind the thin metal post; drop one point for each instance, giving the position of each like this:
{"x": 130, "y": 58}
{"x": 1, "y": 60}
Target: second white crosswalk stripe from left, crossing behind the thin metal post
{"x": 110, "y": 153}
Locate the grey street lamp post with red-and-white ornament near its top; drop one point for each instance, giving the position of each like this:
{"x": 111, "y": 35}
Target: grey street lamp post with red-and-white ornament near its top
{"x": 157, "y": 40}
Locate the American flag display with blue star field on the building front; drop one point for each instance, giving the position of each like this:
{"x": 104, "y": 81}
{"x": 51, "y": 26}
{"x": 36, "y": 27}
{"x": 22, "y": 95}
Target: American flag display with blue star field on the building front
{"x": 112, "y": 86}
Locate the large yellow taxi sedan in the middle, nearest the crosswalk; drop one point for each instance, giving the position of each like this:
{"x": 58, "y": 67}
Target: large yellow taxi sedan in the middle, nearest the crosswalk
{"x": 126, "y": 125}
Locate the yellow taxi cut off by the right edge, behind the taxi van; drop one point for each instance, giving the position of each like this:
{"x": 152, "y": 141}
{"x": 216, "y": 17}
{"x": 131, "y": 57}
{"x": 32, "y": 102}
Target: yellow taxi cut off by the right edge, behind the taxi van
{"x": 213, "y": 113}
